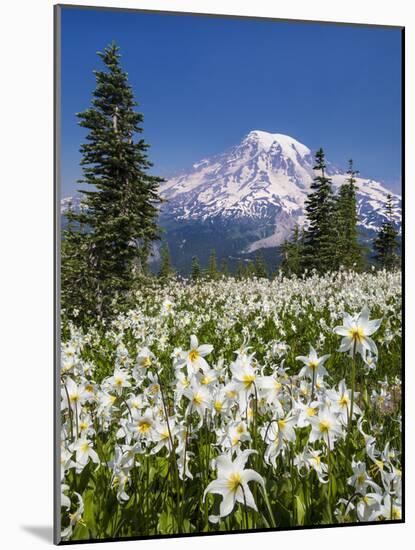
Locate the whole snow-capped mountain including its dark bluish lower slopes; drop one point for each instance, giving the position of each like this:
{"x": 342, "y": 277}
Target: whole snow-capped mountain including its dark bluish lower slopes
{"x": 249, "y": 198}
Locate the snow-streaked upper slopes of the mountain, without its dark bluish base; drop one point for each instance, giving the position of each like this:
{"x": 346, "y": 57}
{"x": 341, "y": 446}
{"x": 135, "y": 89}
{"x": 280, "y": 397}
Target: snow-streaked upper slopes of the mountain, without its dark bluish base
{"x": 264, "y": 179}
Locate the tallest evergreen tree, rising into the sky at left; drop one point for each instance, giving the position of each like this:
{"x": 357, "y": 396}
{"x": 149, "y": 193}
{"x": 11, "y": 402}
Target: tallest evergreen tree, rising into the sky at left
{"x": 120, "y": 214}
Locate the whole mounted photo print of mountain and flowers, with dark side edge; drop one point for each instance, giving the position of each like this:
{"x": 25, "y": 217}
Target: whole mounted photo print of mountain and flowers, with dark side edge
{"x": 229, "y": 242}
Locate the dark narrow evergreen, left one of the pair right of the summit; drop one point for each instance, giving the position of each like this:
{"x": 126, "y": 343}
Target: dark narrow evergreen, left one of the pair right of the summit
{"x": 319, "y": 245}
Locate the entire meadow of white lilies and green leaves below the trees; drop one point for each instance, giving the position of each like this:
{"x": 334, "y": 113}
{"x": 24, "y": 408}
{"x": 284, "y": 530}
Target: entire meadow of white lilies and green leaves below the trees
{"x": 222, "y": 405}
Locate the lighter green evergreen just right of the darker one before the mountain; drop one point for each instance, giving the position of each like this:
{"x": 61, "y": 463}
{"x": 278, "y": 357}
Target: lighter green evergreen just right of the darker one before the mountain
{"x": 349, "y": 253}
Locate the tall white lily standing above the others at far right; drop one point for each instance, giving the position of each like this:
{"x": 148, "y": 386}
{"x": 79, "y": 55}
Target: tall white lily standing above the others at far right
{"x": 356, "y": 332}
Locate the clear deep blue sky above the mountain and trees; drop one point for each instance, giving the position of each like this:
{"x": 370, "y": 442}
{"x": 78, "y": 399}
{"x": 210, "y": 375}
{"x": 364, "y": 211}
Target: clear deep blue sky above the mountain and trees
{"x": 203, "y": 83}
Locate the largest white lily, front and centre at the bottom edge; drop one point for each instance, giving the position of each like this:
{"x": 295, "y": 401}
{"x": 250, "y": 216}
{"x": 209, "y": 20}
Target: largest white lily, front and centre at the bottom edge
{"x": 232, "y": 482}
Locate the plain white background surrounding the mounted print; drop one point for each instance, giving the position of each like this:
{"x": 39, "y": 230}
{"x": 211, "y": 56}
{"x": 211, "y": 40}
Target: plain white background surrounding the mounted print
{"x": 26, "y": 307}
